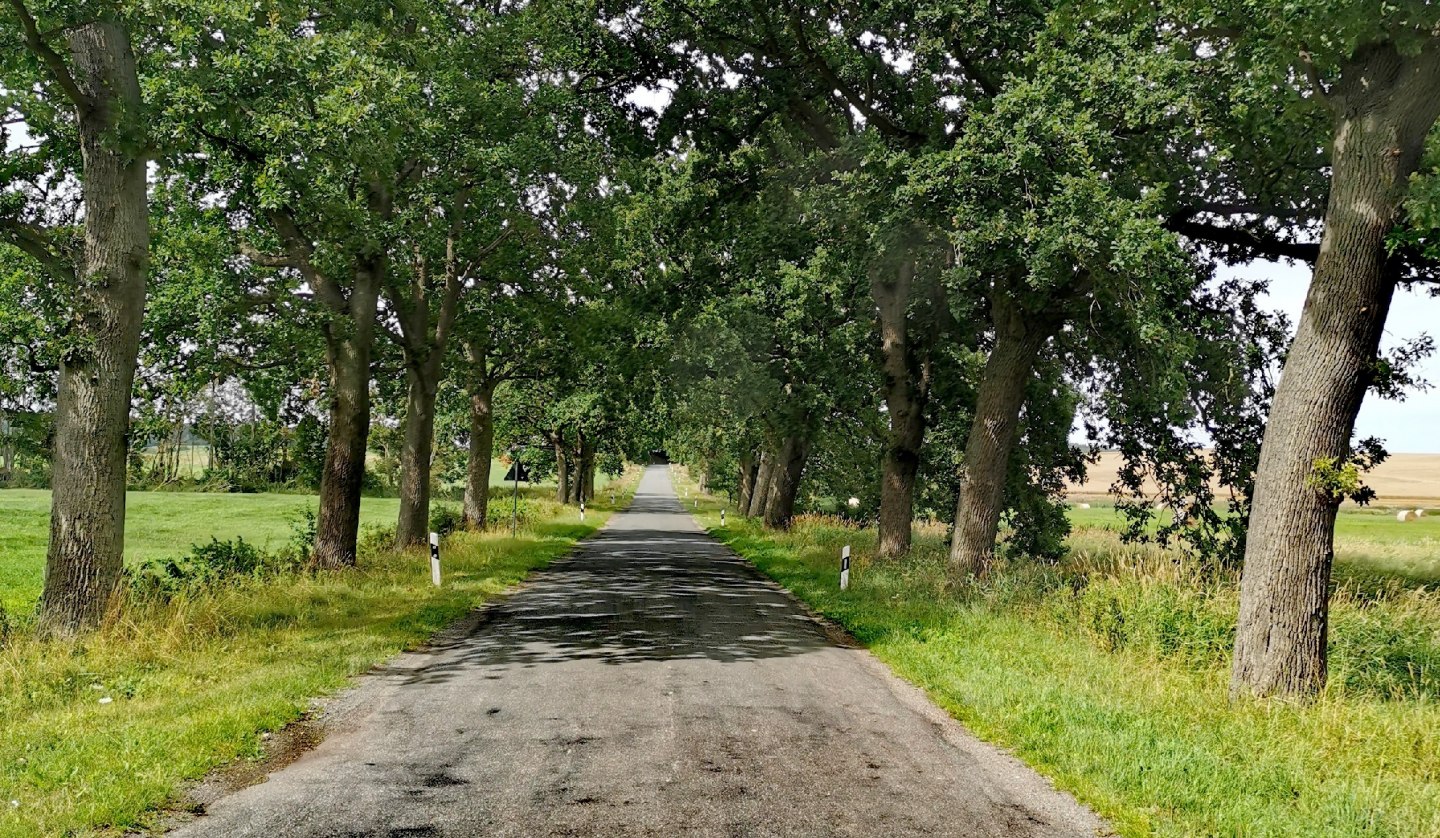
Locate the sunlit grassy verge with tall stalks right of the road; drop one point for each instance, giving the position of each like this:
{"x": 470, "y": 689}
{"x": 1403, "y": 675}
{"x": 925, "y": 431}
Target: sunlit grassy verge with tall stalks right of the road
{"x": 1110, "y": 676}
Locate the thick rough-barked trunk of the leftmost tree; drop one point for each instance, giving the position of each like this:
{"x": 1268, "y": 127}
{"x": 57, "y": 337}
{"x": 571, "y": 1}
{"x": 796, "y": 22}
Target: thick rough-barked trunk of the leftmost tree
{"x": 83, "y": 564}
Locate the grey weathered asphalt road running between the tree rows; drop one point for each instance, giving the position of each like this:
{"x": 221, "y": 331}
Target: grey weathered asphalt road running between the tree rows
{"x": 650, "y": 685}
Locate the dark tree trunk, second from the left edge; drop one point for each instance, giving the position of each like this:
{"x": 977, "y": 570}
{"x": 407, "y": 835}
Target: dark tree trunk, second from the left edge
{"x": 349, "y": 343}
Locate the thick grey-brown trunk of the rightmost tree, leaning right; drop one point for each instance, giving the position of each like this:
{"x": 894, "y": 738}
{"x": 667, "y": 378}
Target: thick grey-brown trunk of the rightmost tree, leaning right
{"x": 1386, "y": 107}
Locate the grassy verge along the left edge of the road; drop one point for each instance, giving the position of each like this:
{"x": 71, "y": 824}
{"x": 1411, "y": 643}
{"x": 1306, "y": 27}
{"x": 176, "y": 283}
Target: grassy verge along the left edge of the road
{"x": 197, "y": 682}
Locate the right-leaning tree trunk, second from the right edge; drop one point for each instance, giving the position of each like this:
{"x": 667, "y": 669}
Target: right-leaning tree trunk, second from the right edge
{"x": 1019, "y": 341}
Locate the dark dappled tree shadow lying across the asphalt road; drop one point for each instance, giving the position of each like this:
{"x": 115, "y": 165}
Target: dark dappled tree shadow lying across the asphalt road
{"x": 633, "y": 595}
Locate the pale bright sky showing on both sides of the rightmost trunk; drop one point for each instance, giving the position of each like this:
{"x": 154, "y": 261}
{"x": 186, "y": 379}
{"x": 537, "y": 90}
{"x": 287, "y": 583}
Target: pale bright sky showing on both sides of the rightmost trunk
{"x": 1410, "y": 427}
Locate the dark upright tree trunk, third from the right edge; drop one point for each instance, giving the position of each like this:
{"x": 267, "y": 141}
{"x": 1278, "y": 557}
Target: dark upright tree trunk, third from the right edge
{"x": 906, "y": 389}
